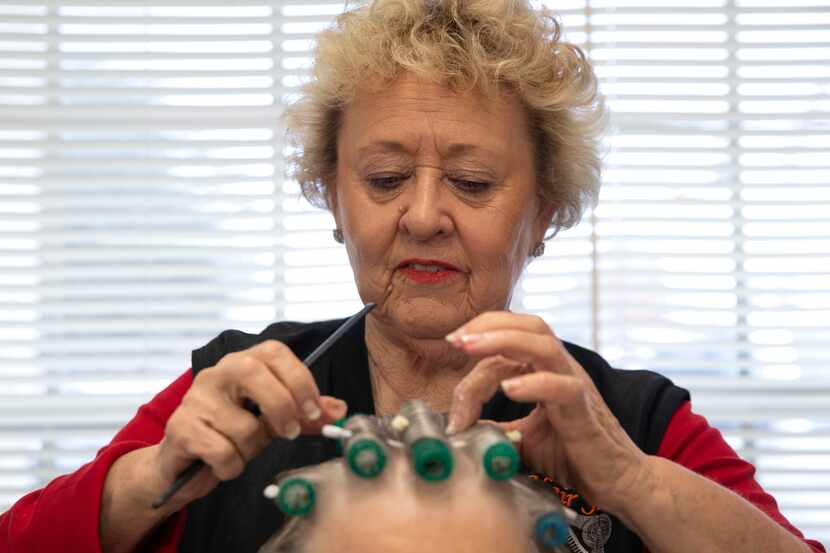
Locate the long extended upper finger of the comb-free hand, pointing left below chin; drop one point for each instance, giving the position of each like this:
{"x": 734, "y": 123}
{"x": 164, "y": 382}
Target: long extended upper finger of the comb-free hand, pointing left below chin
{"x": 542, "y": 351}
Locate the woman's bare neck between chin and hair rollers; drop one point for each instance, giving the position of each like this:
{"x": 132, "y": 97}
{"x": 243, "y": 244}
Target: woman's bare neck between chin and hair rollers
{"x": 403, "y": 368}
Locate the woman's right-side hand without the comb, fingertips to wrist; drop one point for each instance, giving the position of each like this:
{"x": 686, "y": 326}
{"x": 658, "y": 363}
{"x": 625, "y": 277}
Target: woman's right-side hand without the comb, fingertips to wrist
{"x": 571, "y": 435}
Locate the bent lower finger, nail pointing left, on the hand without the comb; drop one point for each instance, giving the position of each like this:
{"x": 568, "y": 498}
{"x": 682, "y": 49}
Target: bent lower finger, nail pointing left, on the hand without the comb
{"x": 567, "y": 395}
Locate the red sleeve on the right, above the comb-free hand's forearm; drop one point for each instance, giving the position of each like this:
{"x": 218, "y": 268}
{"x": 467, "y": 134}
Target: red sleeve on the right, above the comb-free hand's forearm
{"x": 692, "y": 443}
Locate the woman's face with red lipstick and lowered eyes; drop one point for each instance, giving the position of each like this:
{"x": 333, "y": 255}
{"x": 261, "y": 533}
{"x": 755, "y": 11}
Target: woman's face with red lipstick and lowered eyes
{"x": 436, "y": 196}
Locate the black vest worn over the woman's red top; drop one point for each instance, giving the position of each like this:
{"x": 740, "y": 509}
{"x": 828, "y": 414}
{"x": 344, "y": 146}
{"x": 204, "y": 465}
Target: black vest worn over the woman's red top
{"x": 235, "y": 517}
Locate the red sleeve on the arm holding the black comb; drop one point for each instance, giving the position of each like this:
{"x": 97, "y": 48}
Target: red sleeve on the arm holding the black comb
{"x": 63, "y": 516}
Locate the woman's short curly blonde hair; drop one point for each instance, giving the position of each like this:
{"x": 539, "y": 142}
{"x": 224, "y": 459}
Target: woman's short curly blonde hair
{"x": 491, "y": 45}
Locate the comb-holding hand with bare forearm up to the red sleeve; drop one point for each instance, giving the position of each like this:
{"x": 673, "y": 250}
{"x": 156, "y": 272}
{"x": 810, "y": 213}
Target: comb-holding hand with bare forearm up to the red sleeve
{"x": 211, "y": 424}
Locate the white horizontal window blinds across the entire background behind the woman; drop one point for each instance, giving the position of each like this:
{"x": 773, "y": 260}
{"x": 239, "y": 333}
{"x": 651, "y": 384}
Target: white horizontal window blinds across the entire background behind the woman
{"x": 143, "y": 210}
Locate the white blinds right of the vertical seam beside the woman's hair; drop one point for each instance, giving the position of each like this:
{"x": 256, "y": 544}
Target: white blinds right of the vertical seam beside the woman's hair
{"x": 713, "y": 239}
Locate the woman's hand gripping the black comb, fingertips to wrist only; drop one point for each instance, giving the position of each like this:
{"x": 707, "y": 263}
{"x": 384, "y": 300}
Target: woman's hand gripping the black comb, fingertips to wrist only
{"x": 213, "y": 425}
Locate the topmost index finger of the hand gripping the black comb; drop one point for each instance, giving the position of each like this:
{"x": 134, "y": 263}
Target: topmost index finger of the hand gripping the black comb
{"x": 295, "y": 376}
